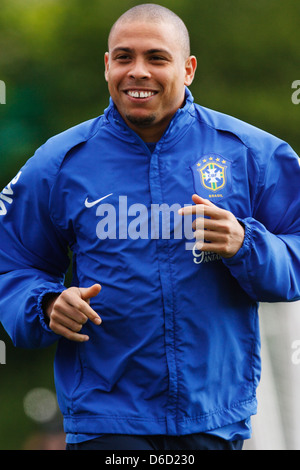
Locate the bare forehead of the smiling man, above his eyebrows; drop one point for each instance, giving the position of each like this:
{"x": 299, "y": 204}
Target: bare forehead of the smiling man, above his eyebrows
{"x": 141, "y": 34}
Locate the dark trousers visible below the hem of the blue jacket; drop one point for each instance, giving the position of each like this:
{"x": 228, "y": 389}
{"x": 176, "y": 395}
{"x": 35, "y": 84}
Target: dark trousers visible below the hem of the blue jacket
{"x": 199, "y": 441}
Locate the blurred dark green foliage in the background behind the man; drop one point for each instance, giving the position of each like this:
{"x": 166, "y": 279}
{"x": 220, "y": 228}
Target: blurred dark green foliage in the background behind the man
{"x": 51, "y": 59}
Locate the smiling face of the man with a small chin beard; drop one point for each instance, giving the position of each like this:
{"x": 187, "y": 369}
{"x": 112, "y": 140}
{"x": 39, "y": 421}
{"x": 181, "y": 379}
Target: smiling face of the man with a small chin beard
{"x": 146, "y": 73}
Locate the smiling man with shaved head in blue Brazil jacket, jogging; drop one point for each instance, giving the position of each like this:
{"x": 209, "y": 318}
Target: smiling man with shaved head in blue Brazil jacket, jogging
{"x": 158, "y": 343}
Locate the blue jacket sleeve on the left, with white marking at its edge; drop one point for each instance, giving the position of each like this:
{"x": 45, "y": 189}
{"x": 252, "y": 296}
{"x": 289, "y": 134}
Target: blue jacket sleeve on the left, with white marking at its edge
{"x": 33, "y": 254}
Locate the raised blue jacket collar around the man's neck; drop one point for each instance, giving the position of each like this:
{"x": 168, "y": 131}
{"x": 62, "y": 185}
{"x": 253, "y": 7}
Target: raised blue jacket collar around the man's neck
{"x": 179, "y": 124}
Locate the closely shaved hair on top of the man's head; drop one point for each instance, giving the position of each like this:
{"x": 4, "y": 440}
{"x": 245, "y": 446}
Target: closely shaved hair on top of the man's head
{"x": 151, "y": 12}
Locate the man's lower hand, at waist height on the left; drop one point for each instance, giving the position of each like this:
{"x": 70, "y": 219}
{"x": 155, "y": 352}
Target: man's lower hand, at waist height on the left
{"x": 70, "y": 310}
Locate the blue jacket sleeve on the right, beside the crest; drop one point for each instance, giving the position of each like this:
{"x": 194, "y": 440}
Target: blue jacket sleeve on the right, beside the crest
{"x": 268, "y": 264}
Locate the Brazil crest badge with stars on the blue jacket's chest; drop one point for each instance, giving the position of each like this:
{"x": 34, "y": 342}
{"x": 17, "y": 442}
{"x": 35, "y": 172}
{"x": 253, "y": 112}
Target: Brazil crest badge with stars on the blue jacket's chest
{"x": 212, "y": 176}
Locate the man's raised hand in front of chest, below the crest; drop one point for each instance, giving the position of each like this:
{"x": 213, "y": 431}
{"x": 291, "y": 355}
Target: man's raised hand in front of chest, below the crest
{"x": 221, "y": 233}
